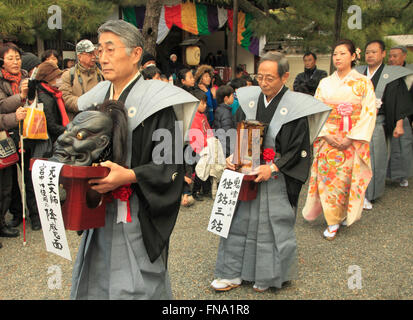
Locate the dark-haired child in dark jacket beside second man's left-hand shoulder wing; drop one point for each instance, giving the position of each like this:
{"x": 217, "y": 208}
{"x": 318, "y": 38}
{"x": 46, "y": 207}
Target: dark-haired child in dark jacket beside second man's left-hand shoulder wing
{"x": 223, "y": 118}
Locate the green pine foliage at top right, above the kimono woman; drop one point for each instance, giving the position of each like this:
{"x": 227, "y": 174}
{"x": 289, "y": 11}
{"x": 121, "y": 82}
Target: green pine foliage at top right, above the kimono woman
{"x": 310, "y": 23}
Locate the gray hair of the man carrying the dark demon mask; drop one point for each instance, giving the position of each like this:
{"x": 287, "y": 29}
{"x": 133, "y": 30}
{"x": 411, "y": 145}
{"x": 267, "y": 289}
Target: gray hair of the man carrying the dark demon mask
{"x": 130, "y": 36}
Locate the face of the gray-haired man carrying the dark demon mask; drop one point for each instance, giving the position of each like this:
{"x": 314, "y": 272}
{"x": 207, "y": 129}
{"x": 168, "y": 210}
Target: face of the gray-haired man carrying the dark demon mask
{"x": 117, "y": 65}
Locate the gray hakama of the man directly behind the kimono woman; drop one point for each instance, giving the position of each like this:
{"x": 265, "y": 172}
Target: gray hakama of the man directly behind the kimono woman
{"x": 379, "y": 155}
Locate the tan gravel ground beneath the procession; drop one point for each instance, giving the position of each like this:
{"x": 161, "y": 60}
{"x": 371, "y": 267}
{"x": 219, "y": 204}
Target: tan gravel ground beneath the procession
{"x": 380, "y": 245}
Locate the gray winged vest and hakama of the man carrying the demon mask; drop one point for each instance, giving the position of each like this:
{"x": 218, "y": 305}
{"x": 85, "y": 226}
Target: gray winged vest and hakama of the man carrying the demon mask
{"x": 112, "y": 261}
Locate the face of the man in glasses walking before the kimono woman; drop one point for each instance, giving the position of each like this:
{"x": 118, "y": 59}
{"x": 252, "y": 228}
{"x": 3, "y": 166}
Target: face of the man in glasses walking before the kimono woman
{"x": 269, "y": 80}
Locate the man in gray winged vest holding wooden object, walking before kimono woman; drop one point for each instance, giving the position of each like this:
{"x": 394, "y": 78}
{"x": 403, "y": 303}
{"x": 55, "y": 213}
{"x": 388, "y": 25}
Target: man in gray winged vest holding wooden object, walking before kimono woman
{"x": 261, "y": 244}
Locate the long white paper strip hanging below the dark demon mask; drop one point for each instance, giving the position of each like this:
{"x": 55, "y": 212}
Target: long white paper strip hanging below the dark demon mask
{"x": 45, "y": 176}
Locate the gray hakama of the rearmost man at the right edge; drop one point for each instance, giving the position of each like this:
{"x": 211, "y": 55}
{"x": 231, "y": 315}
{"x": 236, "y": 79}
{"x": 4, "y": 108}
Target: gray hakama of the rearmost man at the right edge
{"x": 401, "y": 154}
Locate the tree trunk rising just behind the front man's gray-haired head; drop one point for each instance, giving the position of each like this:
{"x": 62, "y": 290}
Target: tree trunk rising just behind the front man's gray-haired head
{"x": 150, "y": 25}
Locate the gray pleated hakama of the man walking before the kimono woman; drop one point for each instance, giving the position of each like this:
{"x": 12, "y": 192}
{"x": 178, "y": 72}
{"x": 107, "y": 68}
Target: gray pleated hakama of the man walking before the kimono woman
{"x": 261, "y": 245}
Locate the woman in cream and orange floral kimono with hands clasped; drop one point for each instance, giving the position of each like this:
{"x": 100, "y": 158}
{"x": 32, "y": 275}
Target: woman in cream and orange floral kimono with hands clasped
{"x": 341, "y": 170}
